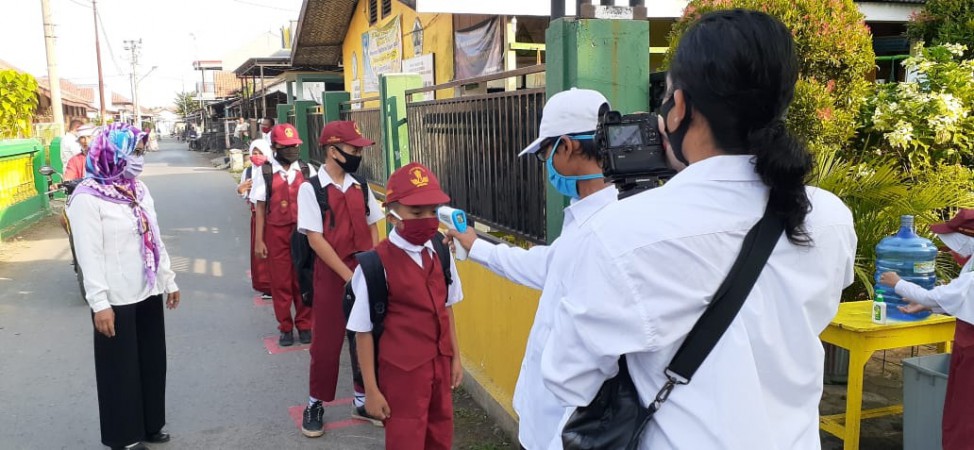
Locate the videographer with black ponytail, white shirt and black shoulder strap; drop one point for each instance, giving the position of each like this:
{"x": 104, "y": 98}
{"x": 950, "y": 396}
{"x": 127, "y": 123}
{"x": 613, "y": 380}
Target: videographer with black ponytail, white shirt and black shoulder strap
{"x": 654, "y": 261}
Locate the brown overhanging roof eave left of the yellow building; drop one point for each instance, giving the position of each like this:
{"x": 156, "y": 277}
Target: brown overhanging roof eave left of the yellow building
{"x": 321, "y": 31}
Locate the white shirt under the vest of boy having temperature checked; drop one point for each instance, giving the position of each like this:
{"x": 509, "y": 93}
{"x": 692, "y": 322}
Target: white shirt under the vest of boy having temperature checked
{"x": 359, "y": 320}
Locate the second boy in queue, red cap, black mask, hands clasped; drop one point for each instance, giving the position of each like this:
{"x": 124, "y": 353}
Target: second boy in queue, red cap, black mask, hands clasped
{"x": 347, "y": 227}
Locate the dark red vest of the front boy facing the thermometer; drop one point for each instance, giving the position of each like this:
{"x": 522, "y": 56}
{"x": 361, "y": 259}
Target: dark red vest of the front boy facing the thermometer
{"x": 417, "y": 325}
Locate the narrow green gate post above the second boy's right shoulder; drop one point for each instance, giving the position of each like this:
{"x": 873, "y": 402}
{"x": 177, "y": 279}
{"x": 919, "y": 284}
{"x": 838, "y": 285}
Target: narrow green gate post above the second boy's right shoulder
{"x": 392, "y": 107}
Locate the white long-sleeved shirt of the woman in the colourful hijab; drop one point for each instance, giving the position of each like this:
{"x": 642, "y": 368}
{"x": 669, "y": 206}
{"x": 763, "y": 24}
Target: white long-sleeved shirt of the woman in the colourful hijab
{"x": 109, "y": 249}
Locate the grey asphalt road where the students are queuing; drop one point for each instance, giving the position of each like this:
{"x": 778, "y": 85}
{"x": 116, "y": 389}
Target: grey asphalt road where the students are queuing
{"x": 225, "y": 389}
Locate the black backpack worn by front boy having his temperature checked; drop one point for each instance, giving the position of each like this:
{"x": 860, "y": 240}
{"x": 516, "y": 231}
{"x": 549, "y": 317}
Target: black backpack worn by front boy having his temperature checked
{"x": 375, "y": 280}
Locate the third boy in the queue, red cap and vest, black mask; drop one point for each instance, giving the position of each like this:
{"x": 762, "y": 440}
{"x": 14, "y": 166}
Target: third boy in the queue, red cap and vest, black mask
{"x": 275, "y": 222}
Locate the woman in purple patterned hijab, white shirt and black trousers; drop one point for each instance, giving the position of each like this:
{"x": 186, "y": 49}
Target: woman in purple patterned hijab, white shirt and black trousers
{"x": 127, "y": 271}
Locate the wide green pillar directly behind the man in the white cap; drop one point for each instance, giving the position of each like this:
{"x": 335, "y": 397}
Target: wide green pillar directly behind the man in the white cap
{"x": 609, "y": 56}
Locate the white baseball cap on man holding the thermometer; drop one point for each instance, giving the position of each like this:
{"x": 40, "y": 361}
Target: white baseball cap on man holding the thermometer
{"x": 569, "y": 112}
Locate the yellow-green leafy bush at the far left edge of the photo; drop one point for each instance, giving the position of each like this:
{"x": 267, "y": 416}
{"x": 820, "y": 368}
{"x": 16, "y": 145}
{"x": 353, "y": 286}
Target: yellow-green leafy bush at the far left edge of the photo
{"x": 18, "y": 100}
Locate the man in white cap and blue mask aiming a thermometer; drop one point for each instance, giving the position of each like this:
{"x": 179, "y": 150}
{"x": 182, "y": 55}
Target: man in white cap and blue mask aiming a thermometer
{"x": 566, "y": 146}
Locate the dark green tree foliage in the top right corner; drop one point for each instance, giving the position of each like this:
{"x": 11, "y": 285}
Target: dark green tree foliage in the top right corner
{"x": 945, "y": 22}
